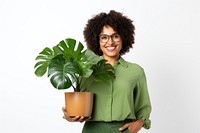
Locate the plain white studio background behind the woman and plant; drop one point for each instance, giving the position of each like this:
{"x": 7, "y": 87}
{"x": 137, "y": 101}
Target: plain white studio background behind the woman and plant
{"x": 167, "y": 47}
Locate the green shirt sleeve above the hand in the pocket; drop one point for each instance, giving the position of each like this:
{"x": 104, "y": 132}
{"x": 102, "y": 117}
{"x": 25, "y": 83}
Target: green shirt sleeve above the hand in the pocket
{"x": 142, "y": 101}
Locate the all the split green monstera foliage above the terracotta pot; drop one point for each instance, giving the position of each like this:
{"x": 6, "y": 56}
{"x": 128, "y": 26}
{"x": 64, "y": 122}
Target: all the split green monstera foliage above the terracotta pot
{"x": 67, "y": 61}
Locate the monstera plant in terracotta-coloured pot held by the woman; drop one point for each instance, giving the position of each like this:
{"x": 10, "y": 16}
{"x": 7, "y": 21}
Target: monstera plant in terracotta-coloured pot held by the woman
{"x": 67, "y": 64}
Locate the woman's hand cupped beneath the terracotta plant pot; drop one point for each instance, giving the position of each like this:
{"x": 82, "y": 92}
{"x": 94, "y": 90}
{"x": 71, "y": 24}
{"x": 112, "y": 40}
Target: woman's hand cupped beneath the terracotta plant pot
{"x": 74, "y": 119}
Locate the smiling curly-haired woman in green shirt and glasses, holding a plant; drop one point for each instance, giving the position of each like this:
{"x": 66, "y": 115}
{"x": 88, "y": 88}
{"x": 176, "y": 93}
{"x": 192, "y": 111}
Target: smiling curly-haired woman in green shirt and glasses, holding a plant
{"x": 122, "y": 104}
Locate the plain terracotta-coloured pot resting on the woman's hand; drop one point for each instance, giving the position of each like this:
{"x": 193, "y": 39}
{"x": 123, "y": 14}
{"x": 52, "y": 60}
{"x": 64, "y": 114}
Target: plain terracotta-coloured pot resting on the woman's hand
{"x": 79, "y": 103}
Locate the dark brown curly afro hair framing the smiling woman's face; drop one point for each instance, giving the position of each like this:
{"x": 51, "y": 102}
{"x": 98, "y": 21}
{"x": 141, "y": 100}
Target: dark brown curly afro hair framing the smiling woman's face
{"x": 120, "y": 23}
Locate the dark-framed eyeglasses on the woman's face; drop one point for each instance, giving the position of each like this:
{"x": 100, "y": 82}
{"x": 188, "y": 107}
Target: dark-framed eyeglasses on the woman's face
{"x": 104, "y": 38}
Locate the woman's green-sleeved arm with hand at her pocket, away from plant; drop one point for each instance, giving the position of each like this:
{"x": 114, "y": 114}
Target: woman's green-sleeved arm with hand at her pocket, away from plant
{"x": 142, "y": 107}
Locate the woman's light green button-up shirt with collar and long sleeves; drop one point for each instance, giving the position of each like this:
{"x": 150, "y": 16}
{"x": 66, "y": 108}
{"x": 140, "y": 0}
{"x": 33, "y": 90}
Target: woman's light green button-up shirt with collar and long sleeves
{"x": 125, "y": 97}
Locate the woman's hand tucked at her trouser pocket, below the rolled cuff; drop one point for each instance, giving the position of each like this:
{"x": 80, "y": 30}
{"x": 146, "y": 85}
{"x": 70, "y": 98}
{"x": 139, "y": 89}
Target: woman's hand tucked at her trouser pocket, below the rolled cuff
{"x": 133, "y": 127}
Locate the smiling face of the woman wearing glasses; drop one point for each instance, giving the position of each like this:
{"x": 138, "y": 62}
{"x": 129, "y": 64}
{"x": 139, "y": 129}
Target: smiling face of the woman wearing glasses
{"x": 110, "y": 43}
